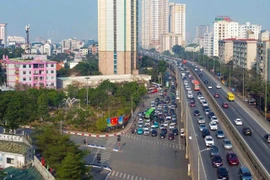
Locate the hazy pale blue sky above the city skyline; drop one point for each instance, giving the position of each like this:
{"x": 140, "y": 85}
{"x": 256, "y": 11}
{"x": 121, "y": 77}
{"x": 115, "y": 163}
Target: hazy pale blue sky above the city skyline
{"x": 59, "y": 19}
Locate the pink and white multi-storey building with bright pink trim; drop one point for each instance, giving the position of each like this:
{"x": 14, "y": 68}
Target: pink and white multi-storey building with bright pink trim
{"x": 35, "y": 73}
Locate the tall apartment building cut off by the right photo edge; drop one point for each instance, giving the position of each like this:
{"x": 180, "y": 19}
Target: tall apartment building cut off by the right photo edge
{"x": 263, "y": 55}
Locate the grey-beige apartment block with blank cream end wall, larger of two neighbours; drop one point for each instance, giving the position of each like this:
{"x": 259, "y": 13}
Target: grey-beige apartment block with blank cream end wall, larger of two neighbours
{"x": 244, "y": 52}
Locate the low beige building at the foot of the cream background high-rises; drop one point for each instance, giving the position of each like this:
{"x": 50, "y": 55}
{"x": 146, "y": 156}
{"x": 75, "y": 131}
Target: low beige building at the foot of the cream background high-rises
{"x": 169, "y": 40}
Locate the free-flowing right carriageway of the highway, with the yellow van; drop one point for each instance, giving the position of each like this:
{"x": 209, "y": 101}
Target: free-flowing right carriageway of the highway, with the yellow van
{"x": 256, "y": 143}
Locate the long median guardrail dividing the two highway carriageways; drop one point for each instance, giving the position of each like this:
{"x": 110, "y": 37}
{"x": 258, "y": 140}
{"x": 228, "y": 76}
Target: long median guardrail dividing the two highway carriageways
{"x": 257, "y": 168}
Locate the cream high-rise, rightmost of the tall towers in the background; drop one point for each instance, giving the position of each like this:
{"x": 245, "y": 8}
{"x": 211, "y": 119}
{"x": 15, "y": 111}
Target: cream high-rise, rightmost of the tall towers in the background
{"x": 177, "y": 20}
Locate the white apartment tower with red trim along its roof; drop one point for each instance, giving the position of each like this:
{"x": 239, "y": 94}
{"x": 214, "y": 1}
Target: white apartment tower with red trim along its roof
{"x": 224, "y": 28}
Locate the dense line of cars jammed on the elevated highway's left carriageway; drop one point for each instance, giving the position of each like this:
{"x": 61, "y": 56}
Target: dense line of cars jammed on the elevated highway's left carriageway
{"x": 209, "y": 141}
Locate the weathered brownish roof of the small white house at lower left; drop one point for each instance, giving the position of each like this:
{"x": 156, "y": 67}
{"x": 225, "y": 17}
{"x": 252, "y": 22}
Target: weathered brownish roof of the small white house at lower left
{"x": 13, "y": 147}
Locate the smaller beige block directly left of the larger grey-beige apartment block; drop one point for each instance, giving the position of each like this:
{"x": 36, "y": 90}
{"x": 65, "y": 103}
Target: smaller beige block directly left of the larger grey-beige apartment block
{"x": 226, "y": 50}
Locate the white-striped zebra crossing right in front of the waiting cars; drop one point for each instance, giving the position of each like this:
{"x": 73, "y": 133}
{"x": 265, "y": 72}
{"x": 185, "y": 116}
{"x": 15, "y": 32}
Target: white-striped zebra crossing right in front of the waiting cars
{"x": 154, "y": 142}
